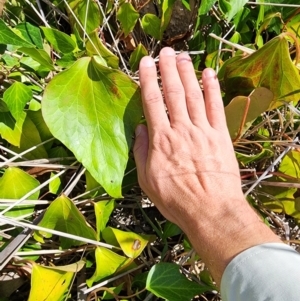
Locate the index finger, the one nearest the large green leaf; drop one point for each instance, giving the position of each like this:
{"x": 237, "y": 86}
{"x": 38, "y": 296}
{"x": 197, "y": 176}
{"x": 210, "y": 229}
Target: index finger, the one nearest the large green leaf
{"x": 154, "y": 108}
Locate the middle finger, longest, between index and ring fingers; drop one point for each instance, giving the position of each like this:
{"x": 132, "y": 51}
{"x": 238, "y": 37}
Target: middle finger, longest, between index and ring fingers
{"x": 172, "y": 86}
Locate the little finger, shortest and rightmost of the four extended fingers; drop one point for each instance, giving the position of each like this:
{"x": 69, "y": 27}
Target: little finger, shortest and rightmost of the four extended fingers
{"x": 213, "y": 100}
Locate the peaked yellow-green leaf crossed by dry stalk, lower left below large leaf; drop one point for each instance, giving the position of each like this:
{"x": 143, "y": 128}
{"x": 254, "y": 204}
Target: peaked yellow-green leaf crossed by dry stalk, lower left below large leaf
{"x": 63, "y": 215}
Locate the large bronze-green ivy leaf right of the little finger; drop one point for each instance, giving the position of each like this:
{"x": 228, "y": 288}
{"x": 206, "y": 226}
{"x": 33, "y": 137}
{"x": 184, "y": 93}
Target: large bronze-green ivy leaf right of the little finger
{"x": 242, "y": 75}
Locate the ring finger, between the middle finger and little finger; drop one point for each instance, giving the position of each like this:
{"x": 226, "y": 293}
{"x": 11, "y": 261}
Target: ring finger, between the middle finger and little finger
{"x": 193, "y": 94}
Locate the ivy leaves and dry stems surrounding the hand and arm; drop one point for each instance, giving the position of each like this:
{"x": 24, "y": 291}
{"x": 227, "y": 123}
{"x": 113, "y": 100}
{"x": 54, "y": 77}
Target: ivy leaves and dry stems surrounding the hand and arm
{"x": 74, "y": 223}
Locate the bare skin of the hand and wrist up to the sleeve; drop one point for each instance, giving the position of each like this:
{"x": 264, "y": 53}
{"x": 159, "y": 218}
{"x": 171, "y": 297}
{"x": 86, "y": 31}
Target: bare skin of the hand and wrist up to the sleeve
{"x": 186, "y": 163}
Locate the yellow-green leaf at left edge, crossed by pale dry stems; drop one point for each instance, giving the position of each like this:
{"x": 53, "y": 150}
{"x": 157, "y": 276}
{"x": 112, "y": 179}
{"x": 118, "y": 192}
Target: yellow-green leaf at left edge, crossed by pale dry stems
{"x": 14, "y": 184}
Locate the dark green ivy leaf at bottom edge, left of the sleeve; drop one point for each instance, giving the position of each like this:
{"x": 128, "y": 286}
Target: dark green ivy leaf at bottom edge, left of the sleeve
{"x": 165, "y": 281}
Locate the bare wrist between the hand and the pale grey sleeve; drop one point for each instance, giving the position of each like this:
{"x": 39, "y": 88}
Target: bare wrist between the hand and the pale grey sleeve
{"x": 224, "y": 234}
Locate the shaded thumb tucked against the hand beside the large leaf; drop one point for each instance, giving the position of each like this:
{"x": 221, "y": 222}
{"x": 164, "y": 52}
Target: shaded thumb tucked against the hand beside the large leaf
{"x": 140, "y": 150}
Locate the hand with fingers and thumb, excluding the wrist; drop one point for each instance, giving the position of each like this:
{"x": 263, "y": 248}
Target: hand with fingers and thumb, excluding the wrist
{"x": 186, "y": 163}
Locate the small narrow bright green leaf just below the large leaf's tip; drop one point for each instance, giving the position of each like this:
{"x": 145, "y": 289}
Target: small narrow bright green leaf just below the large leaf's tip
{"x": 103, "y": 210}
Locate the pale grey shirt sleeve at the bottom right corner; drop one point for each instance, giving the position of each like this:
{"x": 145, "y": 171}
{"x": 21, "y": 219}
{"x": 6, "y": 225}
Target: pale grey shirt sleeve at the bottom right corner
{"x": 267, "y": 272}
